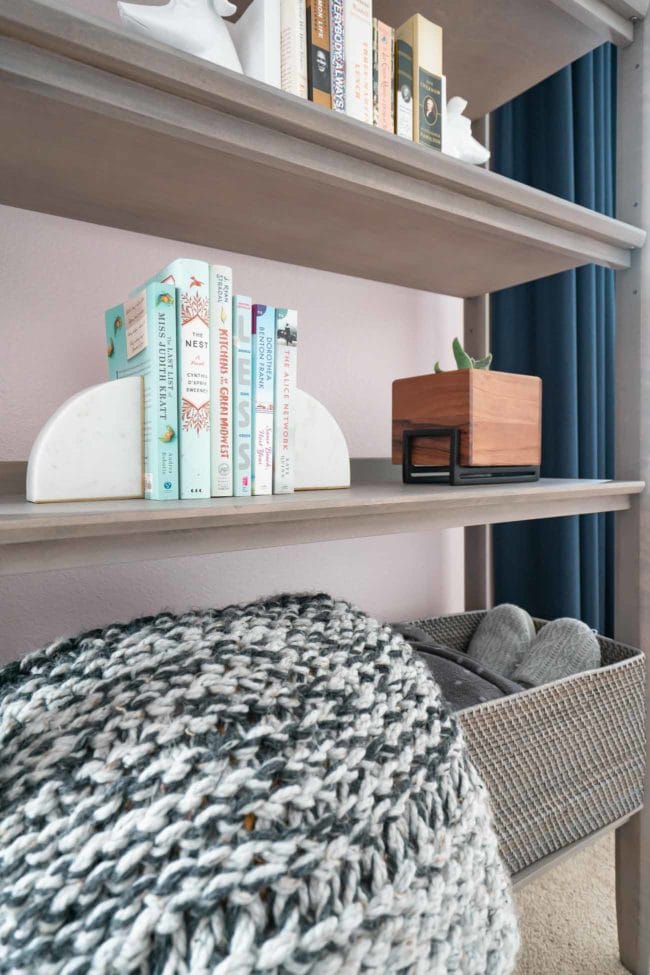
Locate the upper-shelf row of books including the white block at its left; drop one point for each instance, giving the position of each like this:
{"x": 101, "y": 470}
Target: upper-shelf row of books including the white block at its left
{"x": 341, "y": 57}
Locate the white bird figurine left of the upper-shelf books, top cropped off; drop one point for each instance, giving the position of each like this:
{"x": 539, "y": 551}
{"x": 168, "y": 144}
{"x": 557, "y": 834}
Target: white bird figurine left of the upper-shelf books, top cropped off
{"x": 193, "y": 26}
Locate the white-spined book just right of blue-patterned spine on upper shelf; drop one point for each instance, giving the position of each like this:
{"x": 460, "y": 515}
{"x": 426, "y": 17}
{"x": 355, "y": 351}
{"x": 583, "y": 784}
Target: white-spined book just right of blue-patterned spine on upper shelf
{"x": 358, "y": 60}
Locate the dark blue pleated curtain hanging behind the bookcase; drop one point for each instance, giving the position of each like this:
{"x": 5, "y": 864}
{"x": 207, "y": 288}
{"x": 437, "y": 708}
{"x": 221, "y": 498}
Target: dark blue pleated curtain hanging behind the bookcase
{"x": 560, "y": 137}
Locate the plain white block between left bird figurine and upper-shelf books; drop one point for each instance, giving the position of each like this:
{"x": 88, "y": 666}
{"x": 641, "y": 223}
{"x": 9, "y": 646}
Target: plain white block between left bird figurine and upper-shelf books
{"x": 257, "y": 38}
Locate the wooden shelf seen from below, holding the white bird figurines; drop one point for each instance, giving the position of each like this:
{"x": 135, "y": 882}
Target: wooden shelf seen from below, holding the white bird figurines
{"x": 130, "y": 135}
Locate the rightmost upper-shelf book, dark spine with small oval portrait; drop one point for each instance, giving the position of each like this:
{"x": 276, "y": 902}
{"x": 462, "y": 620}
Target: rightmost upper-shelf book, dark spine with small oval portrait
{"x": 425, "y": 39}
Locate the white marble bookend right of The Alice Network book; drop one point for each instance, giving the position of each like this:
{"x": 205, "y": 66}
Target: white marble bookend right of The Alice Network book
{"x": 322, "y": 457}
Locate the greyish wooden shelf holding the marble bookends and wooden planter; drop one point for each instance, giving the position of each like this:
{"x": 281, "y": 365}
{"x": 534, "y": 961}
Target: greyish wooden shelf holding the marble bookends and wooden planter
{"x": 52, "y": 536}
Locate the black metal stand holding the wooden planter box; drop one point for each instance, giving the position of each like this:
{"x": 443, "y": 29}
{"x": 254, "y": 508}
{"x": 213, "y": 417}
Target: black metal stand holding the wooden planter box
{"x": 454, "y": 473}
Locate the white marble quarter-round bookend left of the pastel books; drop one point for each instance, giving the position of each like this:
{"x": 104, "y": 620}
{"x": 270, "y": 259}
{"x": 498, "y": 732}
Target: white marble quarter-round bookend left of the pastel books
{"x": 92, "y": 447}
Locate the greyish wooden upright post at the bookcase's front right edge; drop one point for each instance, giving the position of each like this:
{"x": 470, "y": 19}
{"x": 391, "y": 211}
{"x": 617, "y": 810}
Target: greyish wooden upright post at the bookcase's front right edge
{"x": 633, "y": 460}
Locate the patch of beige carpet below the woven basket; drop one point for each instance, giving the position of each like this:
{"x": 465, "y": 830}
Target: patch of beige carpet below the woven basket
{"x": 568, "y": 917}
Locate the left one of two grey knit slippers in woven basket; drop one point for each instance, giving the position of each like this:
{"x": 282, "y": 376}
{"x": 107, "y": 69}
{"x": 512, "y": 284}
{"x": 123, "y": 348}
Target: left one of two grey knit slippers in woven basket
{"x": 503, "y": 637}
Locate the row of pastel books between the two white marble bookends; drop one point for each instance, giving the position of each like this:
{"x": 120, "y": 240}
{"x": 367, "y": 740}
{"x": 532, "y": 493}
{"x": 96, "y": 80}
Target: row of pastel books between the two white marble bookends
{"x": 219, "y": 383}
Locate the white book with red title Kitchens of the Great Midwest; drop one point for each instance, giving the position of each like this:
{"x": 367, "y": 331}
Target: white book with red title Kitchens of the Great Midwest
{"x": 221, "y": 381}
